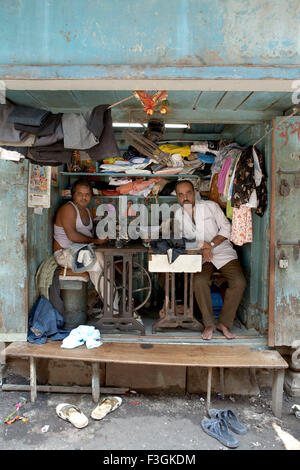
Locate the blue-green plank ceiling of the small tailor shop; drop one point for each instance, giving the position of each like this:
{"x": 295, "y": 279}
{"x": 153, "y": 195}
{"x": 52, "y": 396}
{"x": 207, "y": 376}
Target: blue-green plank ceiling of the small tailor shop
{"x": 213, "y": 114}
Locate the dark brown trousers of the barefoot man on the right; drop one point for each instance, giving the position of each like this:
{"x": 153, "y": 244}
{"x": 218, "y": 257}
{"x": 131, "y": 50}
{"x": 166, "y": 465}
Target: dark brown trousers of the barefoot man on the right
{"x": 233, "y": 274}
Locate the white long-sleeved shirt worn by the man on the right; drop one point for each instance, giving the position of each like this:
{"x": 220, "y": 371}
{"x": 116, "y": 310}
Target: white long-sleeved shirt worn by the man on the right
{"x": 210, "y": 221}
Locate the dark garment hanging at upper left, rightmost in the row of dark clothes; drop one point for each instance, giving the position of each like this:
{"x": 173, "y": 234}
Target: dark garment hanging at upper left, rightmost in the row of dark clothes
{"x": 100, "y": 124}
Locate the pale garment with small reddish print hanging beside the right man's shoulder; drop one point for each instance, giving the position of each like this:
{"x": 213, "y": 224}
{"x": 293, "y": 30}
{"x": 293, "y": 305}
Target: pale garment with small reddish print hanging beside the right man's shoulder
{"x": 241, "y": 232}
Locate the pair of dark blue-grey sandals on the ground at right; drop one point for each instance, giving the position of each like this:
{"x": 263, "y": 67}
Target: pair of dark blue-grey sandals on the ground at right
{"x": 219, "y": 424}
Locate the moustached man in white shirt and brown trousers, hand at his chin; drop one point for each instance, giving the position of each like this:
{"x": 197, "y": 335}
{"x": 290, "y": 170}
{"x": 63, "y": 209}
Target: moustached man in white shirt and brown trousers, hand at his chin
{"x": 206, "y": 222}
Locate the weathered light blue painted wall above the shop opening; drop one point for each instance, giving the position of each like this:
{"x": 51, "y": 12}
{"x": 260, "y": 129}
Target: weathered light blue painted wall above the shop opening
{"x": 156, "y": 32}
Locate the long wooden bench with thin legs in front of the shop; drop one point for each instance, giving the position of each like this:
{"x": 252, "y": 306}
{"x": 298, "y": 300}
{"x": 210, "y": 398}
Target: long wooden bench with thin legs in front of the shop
{"x": 207, "y": 356}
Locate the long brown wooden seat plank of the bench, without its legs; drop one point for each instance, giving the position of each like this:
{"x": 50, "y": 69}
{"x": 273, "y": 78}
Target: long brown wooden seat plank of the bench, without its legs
{"x": 155, "y": 354}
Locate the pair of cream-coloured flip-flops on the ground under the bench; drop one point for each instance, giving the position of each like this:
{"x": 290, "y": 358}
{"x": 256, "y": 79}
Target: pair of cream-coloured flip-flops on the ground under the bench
{"x": 75, "y": 416}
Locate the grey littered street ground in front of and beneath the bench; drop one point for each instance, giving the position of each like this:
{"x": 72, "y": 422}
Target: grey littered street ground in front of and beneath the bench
{"x": 156, "y": 422}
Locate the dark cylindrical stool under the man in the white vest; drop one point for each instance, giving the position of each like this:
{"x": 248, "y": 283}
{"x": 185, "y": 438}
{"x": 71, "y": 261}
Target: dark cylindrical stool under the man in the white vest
{"x": 73, "y": 290}
